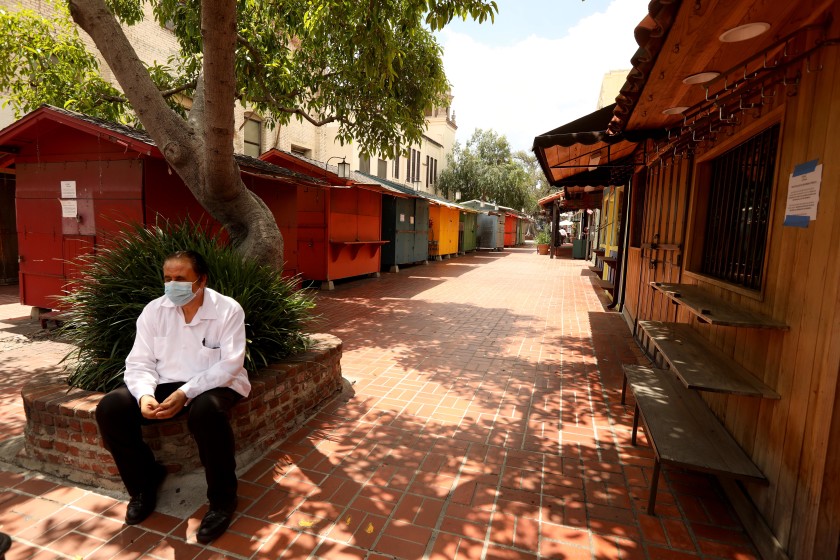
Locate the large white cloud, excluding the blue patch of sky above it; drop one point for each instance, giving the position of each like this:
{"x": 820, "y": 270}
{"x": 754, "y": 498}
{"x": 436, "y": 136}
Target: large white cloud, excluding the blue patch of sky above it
{"x": 538, "y": 84}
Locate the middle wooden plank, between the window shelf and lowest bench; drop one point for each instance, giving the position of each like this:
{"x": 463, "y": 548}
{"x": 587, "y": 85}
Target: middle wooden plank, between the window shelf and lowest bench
{"x": 700, "y": 365}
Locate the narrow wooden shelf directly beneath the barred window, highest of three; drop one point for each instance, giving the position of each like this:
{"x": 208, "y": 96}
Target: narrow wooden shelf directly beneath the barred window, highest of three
{"x": 714, "y": 310}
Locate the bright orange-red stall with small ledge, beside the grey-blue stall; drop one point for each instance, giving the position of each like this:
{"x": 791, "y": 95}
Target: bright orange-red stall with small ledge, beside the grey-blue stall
{"x": 339, "y": 226}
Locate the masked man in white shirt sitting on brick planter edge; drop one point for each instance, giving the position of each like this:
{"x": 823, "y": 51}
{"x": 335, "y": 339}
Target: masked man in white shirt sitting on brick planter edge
{"x": 188, "y": 359}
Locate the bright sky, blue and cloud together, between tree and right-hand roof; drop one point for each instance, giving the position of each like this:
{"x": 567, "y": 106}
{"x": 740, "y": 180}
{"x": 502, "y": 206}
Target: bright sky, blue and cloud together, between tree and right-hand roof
{"x": 539, "y": 66}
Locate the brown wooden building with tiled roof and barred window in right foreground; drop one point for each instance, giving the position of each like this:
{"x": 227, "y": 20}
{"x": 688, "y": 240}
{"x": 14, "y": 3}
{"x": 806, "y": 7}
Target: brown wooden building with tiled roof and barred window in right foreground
{"x": 727, "y": 128}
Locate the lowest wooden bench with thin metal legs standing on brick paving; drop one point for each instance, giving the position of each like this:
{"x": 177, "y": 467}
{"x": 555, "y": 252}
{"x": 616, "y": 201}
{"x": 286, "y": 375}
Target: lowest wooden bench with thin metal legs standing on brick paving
{"x": 682, "y": 429}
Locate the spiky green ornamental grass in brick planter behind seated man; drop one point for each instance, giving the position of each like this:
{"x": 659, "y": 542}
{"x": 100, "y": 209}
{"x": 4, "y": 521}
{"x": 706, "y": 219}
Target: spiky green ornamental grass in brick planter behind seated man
{"x": 115, "y": 284}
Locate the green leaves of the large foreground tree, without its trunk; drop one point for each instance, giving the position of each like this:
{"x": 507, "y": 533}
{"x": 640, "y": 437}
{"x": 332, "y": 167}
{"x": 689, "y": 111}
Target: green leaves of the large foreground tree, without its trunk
{"x": 372, "y": 66}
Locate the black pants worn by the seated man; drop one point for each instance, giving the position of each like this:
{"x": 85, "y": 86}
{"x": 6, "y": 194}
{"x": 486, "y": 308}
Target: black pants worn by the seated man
{"x": 119, "y": 419}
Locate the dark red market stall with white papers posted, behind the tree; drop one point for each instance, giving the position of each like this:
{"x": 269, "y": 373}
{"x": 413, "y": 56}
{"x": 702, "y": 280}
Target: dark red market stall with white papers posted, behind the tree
{"x": 80, "y": 178}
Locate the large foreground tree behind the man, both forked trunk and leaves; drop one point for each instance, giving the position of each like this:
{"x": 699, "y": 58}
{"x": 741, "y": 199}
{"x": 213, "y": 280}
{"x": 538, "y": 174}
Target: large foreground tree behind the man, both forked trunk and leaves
{"x": 372, "y": 67}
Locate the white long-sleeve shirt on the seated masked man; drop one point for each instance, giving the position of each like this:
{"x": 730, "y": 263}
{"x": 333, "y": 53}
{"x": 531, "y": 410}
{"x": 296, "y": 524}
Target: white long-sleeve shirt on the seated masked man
{"x": 206, "y": 353}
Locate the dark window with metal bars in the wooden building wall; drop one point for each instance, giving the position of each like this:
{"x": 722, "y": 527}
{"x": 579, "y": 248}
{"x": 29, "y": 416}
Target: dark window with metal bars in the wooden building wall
{"x": 740, "y": 188}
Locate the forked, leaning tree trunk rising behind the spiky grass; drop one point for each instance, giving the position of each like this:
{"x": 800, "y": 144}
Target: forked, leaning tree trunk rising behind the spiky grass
{"x": 200, "y": 150}
